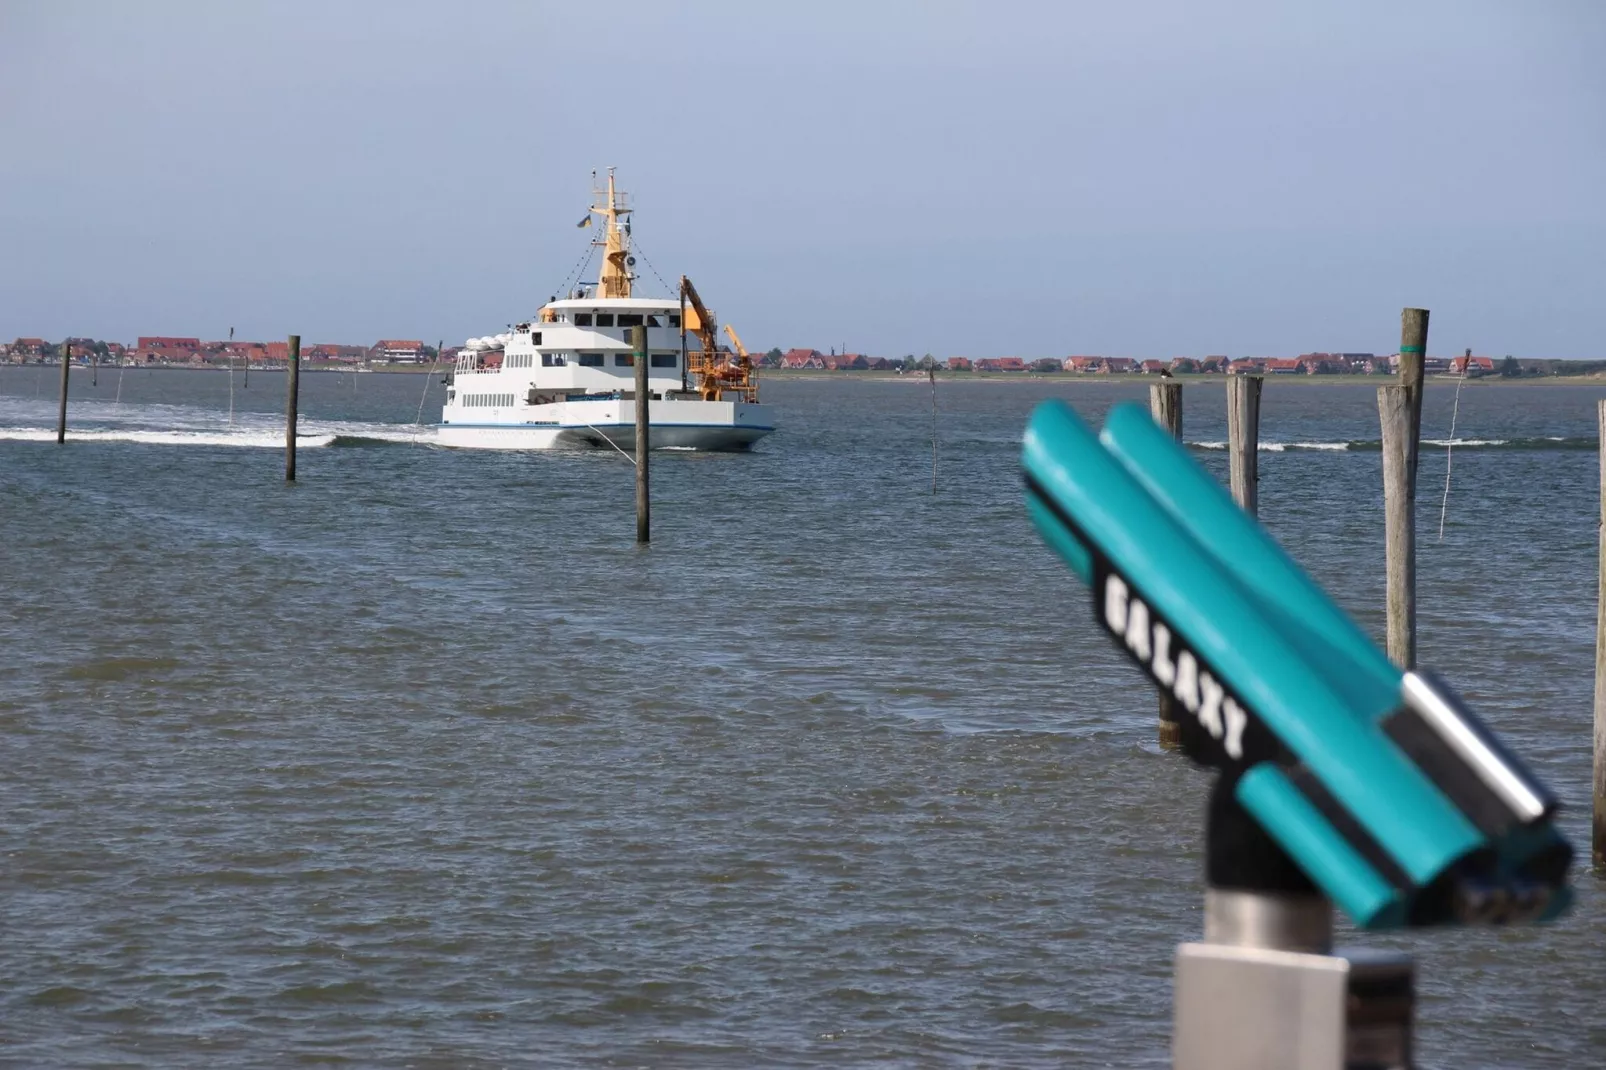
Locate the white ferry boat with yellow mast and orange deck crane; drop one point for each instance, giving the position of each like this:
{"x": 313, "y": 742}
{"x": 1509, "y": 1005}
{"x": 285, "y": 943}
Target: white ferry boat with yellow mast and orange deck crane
{"x": 568, "y": 377}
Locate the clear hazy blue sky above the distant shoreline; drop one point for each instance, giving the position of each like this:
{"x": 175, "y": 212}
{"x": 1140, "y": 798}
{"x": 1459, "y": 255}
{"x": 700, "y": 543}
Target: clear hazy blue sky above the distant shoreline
{"x": 1146, "y": 179}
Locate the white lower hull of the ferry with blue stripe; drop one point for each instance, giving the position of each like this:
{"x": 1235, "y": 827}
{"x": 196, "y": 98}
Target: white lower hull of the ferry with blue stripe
{"x": 672, "y": 425}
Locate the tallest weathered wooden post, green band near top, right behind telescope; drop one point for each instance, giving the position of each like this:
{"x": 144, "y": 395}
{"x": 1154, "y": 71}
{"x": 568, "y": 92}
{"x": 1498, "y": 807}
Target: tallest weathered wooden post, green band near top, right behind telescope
{"x": 1400, "y": 410}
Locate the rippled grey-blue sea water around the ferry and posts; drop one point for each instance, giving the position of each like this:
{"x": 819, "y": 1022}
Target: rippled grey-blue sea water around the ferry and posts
{"x": 422, "y": 762}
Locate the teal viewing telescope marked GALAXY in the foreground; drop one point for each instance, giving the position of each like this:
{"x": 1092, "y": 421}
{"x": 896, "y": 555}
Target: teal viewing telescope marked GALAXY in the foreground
{"x": 1342, "y": 775}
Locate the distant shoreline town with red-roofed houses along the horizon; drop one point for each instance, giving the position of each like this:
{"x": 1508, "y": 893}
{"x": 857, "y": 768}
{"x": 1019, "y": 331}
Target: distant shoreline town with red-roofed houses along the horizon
{"x": 402, "y": 354}
